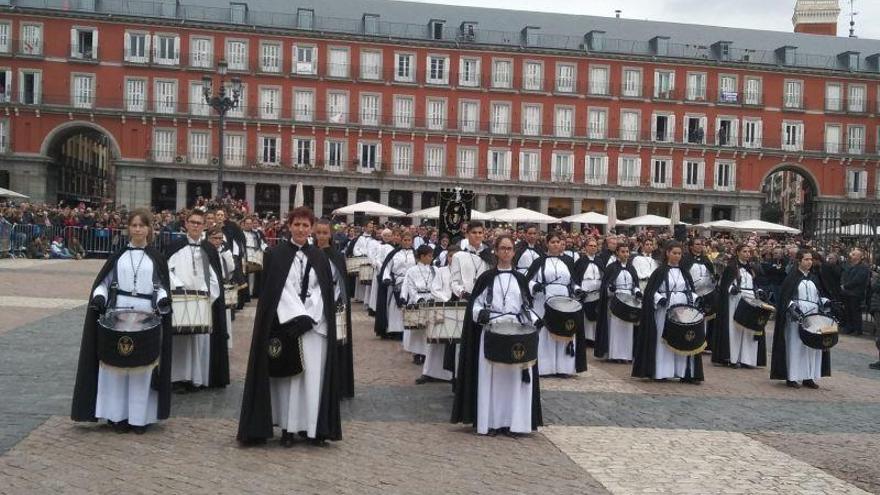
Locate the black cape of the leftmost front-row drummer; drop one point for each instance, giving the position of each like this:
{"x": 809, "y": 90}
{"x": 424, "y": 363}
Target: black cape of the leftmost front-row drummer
{"x": 85, "y": 391}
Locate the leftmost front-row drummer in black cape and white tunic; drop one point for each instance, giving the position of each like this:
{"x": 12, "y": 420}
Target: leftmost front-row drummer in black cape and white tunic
{"x": 126, "y": 379}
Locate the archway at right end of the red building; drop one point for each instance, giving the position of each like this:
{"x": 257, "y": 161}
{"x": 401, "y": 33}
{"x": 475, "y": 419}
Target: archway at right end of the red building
{"x": 790, "y": 198}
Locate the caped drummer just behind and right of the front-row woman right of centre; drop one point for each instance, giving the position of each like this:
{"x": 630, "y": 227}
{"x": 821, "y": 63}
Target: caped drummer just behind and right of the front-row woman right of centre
{"x": 562, "y": 351}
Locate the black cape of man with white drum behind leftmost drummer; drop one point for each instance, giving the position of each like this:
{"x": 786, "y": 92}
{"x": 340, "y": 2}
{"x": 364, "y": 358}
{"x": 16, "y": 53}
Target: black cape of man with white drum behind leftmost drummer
{"x": 218, "y": 374}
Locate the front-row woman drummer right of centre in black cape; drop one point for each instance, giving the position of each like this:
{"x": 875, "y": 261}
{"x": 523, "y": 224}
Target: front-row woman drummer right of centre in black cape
{"x": 493, "y": 396}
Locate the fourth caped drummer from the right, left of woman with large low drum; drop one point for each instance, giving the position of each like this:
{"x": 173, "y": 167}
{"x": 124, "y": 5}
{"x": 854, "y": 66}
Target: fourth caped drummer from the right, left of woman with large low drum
{"x": 614, "y": 335}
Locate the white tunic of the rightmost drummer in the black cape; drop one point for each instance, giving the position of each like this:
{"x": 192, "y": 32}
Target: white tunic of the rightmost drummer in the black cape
{"x": 804, "y": 363}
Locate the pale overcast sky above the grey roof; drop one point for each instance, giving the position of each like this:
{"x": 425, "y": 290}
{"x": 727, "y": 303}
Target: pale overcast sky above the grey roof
{"x": 759, "y": 14}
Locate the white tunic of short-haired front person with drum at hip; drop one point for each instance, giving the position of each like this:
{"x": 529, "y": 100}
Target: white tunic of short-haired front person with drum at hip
{"x": 297, "y": 399}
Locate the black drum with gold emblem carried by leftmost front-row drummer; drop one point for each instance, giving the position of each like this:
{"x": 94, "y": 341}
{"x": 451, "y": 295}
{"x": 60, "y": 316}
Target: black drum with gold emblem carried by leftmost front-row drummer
{"x": 129, "y": 339}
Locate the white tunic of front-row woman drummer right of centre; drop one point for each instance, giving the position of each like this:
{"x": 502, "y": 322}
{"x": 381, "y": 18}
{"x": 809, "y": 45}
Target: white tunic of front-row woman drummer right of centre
{"x": 503, "y": 400}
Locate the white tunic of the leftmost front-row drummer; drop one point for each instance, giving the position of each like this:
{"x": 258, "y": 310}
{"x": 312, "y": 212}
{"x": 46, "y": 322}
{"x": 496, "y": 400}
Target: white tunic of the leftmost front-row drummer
{"x": 125, "y": 393}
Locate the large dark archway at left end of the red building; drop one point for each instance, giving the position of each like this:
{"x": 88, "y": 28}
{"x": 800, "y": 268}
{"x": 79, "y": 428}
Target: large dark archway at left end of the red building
{"x": 82, "y": 166}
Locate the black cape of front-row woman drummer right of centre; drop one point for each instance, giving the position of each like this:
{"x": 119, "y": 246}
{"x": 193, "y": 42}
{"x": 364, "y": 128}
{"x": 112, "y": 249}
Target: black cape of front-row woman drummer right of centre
{"x": 464, "y": 406}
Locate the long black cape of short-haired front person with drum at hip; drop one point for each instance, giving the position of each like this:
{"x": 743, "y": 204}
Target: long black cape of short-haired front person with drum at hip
{"x": 255, "y": 422}
